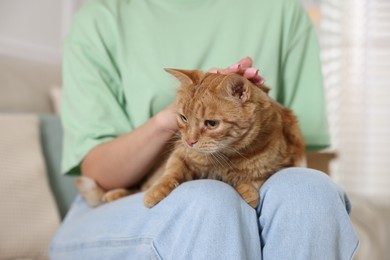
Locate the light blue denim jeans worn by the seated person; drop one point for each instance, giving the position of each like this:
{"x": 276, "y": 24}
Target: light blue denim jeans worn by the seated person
{"x": 302, "y": 215}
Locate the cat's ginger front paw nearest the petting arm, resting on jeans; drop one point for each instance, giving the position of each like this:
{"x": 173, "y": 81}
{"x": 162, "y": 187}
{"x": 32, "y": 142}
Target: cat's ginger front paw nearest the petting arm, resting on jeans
{"x": 159, "y": 191}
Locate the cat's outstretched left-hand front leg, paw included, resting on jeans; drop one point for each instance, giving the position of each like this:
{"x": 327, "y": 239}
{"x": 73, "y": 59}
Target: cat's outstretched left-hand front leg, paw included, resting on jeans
{"x": 172, "y": 177}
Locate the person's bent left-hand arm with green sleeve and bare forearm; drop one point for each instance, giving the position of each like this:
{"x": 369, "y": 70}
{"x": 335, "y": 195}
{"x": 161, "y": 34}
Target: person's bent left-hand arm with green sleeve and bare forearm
{"x": 100, "y": 140}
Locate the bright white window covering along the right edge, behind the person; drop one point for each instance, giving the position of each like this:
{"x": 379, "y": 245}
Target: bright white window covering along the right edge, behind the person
{"x": 355, "y": 50}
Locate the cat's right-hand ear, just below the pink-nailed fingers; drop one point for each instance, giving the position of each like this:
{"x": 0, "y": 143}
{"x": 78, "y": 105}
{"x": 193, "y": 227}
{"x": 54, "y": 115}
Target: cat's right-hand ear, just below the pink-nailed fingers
{"x": 237, "y": 87}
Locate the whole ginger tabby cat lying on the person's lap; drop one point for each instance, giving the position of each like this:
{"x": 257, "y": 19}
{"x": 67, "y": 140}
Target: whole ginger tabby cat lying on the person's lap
{"x": 230, "y": 130}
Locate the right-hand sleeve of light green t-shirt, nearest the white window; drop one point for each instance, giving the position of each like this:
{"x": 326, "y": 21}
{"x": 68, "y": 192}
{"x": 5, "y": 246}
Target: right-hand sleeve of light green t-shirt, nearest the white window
{"x": 303, "y": 89}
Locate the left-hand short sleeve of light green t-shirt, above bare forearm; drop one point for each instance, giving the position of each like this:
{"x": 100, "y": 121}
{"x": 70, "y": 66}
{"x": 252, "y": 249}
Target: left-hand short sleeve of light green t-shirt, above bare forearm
{"x": 93, "y": 104}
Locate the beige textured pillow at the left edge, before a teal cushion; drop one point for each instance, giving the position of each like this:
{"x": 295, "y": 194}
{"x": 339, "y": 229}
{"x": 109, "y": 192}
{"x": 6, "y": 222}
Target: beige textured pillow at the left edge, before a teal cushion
{"x": 28, "y": 214}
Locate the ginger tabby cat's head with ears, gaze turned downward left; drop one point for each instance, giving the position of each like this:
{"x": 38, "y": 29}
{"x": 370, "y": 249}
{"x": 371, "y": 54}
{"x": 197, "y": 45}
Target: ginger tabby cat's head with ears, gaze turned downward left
{"x": 218, "y": 113}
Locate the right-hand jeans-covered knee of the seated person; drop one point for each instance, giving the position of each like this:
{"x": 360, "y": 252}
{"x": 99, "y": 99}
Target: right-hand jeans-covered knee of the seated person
{"x": 303, "y": 211}
